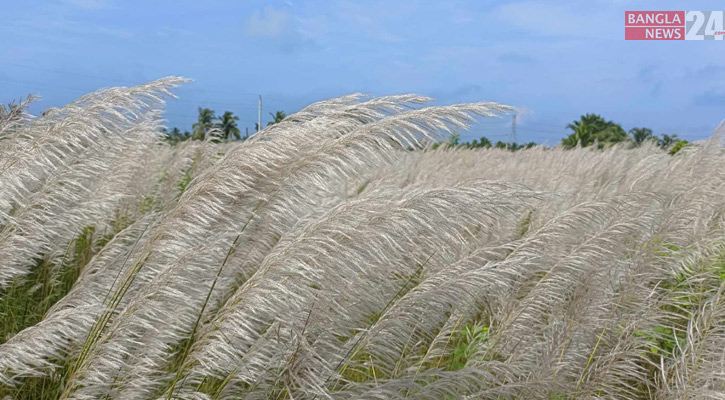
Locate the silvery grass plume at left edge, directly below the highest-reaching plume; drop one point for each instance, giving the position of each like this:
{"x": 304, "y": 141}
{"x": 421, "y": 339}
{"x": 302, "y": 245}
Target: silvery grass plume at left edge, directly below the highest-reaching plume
{"x": 82, "y": 194}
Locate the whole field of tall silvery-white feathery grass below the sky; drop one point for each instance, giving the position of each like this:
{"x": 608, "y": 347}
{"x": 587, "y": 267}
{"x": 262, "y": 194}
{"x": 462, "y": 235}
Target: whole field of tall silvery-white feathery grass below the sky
{"x": 336, "y": 255}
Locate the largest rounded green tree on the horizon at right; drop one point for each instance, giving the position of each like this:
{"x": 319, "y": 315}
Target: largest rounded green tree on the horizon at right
{"x": 592, "y": 128}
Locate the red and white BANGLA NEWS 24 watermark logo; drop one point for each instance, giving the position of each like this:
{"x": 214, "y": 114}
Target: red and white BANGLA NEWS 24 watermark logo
{"x": 674, "y": 25}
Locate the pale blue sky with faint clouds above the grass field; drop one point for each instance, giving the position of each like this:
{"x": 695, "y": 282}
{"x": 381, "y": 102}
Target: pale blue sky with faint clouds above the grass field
{"x": 556, "y": 60}
